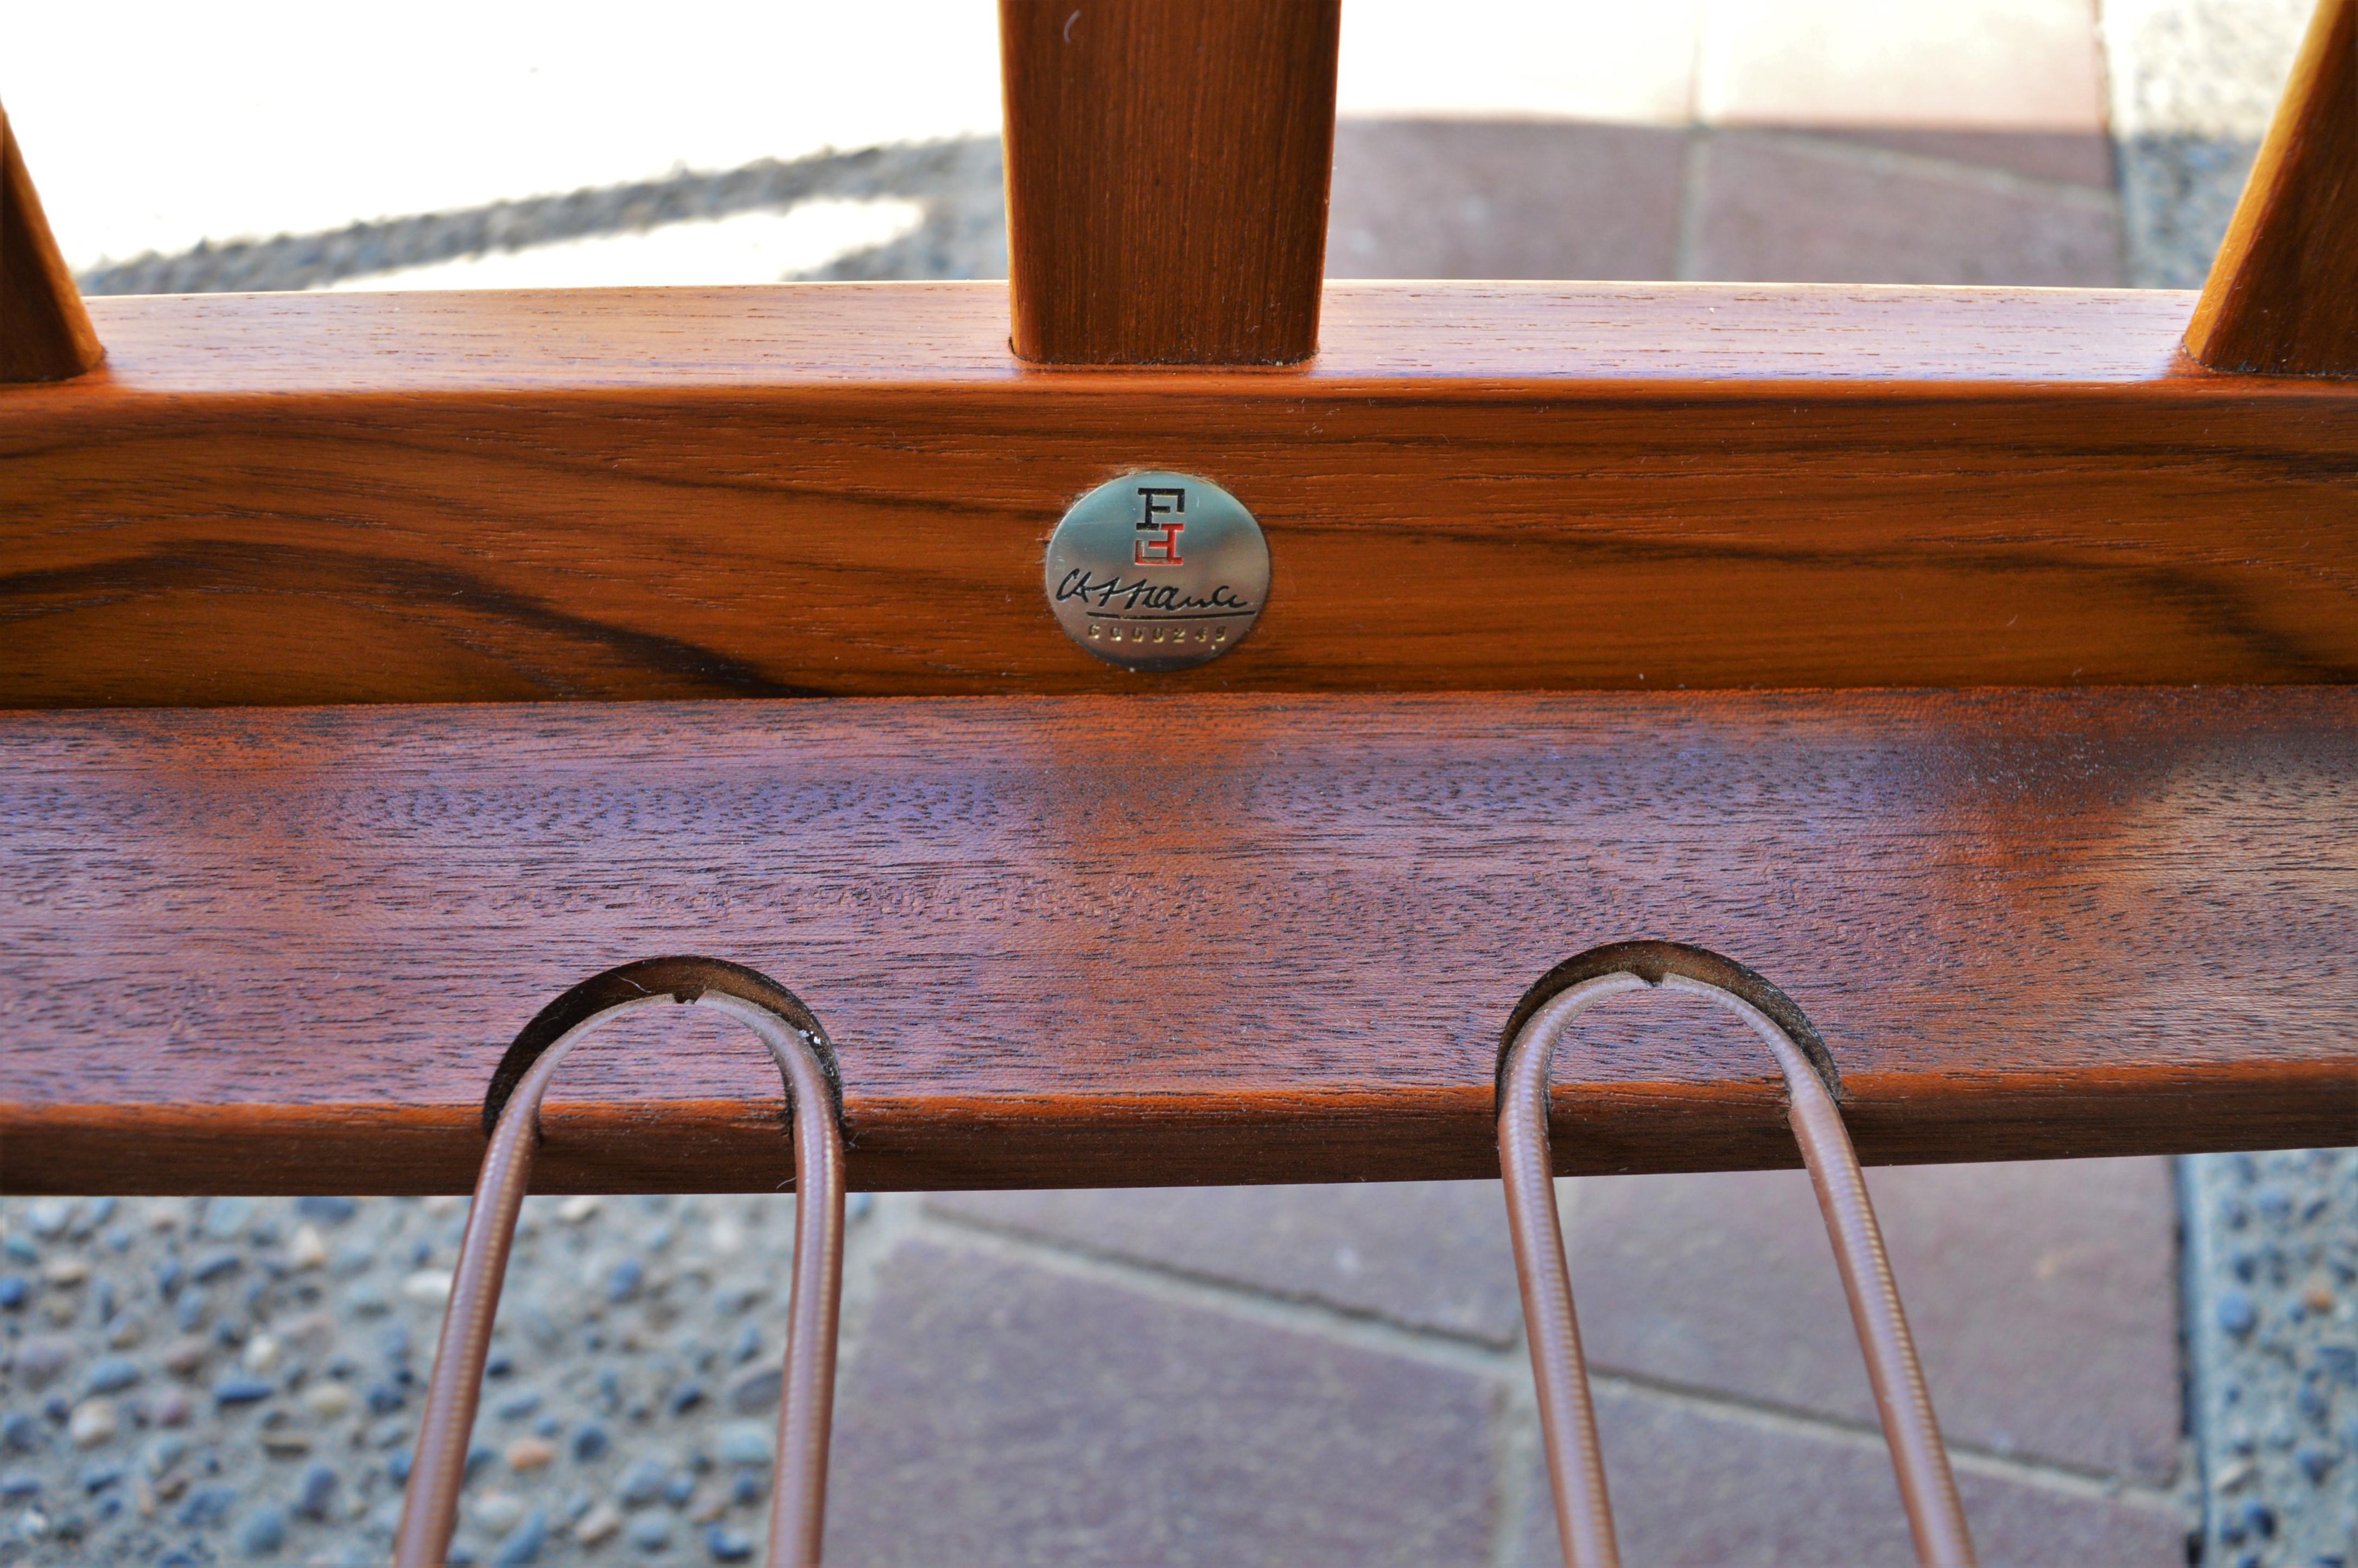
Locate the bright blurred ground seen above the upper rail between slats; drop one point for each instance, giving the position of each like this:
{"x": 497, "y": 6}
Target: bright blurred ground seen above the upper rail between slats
{"x": 1833, "y": 140}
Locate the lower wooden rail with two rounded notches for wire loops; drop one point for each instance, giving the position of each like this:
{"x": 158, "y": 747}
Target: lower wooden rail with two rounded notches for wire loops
{"x": 1072, "y": 942}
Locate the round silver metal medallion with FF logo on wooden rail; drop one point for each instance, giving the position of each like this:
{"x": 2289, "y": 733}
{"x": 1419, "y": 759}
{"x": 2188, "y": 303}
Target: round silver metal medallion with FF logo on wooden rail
{"x": 1157, "y": 572}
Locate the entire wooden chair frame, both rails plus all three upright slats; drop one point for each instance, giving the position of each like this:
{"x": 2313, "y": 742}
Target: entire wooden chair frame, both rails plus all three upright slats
{"x": 1263, "y": 921}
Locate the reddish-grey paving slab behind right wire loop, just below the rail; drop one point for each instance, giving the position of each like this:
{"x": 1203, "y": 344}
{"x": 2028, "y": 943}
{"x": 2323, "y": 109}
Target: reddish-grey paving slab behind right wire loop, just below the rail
{"x": 2043, "y": 1300}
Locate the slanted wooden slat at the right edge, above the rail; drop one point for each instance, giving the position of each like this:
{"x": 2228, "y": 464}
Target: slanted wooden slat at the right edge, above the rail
{"x": 2284, "y": 291}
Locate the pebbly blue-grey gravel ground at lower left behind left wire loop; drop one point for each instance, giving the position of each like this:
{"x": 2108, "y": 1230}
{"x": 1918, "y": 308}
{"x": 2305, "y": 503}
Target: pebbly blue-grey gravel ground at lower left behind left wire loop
{"x": 239, "y": 1381}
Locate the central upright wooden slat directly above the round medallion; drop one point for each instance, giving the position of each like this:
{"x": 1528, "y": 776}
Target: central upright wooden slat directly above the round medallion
{"x": 1168, "y": 178}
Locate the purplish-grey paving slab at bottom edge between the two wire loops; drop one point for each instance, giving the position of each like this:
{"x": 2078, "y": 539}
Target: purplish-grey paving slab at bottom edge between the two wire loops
{"x": 1006, "y": 1414}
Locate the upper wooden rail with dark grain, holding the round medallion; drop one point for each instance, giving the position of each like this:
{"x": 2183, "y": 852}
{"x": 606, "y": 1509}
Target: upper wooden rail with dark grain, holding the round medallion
{"x": 845, "y": 489}
